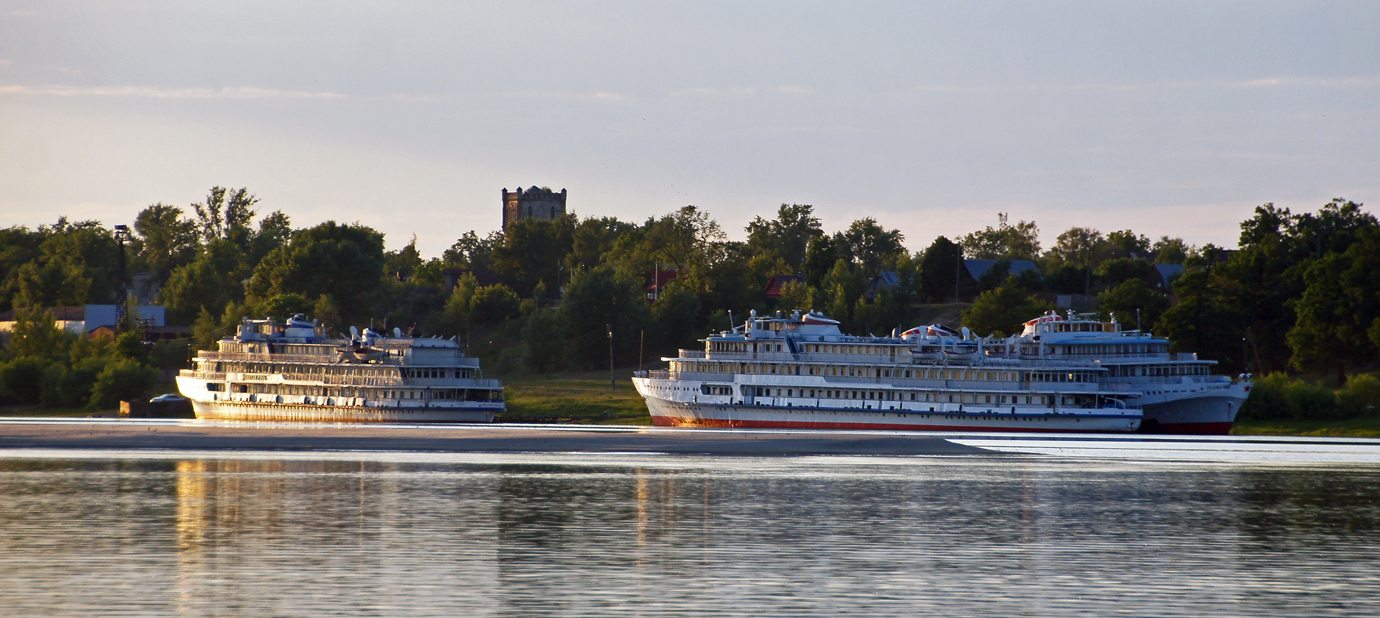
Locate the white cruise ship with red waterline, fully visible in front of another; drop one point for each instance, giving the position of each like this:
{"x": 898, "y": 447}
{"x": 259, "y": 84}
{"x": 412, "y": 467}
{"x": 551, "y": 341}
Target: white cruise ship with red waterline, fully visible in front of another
{"x": 801, "y": 372}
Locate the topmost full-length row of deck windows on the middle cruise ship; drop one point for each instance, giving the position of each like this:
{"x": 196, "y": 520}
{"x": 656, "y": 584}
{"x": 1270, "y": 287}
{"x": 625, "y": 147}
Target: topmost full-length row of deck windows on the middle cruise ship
{"x": 702, "y": 368}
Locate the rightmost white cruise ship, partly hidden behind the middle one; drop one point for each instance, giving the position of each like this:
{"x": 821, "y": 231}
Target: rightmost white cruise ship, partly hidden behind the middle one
{"x": 1178, "y": 392}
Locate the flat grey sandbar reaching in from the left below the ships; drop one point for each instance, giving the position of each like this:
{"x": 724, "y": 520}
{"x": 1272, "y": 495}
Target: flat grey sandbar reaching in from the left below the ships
{"x": 202, "y": 437}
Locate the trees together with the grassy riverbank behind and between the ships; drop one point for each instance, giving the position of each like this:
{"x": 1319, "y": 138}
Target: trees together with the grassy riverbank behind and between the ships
{"x": 549, "y": 304}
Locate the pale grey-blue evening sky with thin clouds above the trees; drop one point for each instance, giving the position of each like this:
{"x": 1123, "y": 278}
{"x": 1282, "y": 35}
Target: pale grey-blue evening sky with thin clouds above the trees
{"x": 1170, "y": 119}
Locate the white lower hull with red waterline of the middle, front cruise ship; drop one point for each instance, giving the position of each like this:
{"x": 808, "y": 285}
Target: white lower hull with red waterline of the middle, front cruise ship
{"x": 695, "y": 415}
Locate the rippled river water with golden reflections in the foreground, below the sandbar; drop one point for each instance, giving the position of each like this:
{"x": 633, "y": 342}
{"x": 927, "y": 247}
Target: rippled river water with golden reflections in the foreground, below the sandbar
{"x": 677, "y": 536}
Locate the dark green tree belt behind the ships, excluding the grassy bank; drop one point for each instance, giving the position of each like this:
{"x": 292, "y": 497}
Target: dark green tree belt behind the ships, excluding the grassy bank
{"x": 1299, "y": 293}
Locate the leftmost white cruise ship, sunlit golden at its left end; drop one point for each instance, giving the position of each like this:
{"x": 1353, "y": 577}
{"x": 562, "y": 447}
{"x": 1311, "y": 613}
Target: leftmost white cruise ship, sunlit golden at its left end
{"x": 292, "y": 372}
